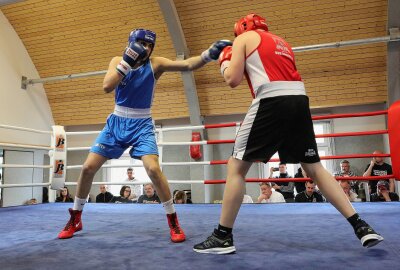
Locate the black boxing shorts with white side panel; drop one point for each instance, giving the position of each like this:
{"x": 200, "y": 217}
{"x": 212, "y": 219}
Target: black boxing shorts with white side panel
{"x": 280, "y": 124}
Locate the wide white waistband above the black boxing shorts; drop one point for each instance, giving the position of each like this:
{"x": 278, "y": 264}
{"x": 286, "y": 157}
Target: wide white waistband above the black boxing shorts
{"x": 280, "y": 88}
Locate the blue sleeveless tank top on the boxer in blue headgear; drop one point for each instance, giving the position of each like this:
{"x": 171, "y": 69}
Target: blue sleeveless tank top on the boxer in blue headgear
{"x": 136, "y": 90}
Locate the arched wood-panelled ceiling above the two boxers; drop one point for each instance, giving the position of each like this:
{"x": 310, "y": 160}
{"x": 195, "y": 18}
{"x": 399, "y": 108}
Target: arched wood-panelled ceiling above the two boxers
{"x": 68, "y": 37}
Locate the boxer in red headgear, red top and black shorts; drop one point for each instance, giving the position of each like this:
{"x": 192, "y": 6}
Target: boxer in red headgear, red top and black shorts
{"x": 278, "y": 120}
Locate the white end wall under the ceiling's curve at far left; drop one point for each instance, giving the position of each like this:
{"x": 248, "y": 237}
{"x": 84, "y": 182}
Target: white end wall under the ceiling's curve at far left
{"x": 24, "y": 108}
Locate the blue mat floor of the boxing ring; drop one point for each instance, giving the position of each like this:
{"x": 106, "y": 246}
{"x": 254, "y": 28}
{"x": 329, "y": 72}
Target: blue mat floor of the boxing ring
{"x": 133, "y": 236}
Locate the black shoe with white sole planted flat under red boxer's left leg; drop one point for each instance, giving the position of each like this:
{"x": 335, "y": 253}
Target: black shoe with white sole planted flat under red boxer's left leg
{"x": 216, "y": 245}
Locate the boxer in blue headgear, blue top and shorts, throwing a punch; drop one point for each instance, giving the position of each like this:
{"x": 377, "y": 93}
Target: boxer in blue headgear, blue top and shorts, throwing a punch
{"x": 134, "y": 76}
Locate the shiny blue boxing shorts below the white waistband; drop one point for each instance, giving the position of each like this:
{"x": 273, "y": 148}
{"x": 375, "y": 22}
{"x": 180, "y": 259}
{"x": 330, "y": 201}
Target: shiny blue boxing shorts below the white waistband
{"x": 119, "y": 133}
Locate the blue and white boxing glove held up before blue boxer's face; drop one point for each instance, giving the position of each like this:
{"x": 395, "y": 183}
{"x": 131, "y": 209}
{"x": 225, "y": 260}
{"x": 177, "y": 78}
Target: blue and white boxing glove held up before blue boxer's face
{"x": 134, "y": 53}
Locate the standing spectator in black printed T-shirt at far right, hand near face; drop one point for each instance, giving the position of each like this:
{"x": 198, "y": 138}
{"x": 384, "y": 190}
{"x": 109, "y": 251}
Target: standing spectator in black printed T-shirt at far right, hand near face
{"x": 378, "y": 167}
